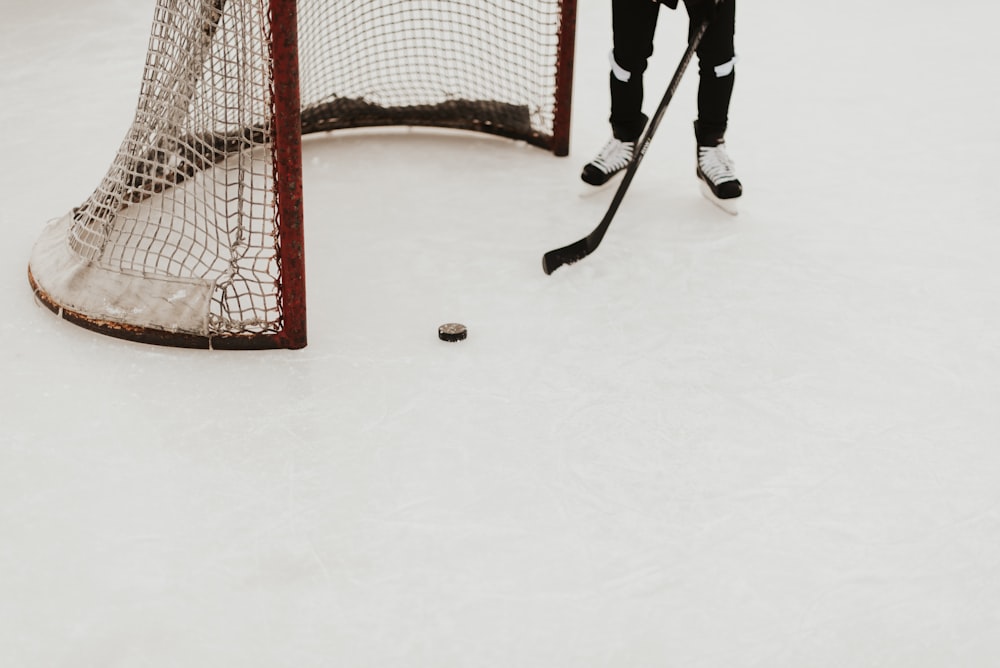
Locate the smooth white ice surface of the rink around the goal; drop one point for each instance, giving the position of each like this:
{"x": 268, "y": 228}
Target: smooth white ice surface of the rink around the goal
{"x": 769, "y": 441}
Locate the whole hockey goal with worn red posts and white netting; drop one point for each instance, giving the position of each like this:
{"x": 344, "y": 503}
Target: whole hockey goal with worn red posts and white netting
{"x": 194, "y": 236}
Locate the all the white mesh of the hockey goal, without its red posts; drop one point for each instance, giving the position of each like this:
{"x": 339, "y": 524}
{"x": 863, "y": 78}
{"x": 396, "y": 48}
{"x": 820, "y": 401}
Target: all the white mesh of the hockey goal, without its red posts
{"x": 191, "y": 193}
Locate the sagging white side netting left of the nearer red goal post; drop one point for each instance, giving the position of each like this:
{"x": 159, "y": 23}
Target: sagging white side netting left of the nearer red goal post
{"x": 190, "y": 193}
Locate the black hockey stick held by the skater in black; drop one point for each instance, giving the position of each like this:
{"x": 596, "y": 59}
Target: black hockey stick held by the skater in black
{"x": 584, "y": 247}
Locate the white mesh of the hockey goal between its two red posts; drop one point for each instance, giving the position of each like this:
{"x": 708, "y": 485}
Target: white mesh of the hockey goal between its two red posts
{"x": 478, "y": 65}
